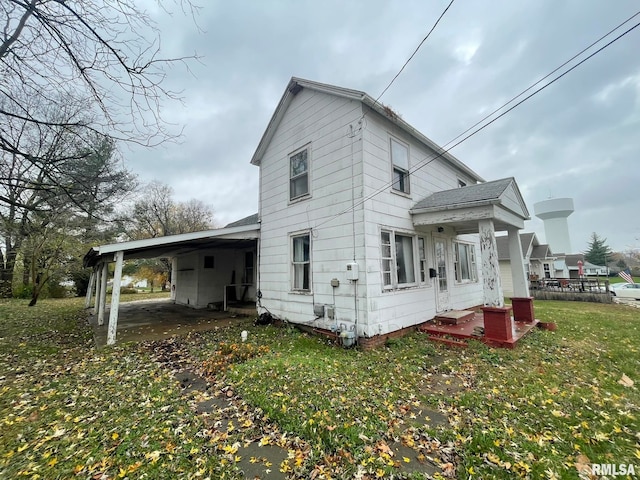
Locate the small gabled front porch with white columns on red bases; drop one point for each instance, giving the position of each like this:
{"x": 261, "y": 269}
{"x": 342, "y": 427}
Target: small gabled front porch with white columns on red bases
{"x": 485, "y": 209}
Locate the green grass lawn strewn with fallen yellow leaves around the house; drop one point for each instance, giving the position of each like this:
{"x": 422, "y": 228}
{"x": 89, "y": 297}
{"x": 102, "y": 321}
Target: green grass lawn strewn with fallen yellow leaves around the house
{"x": 68, "y": 410}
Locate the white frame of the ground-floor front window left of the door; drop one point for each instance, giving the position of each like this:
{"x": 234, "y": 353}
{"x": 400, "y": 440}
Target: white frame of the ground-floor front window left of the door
{"x": 389, "y": 259}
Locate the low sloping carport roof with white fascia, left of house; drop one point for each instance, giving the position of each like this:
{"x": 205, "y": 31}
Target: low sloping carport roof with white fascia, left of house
{"x": 171, "y": 245}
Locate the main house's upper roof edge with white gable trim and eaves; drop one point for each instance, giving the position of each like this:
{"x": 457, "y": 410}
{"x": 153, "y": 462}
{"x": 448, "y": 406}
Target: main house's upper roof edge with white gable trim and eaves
{"x": 295, "y": 85}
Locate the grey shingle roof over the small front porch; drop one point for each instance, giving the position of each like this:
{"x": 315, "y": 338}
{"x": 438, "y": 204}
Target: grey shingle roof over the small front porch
{"x": 481, "y": 192}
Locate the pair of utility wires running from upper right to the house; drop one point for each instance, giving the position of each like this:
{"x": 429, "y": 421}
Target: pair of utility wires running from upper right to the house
{"x": 447, "y": 150}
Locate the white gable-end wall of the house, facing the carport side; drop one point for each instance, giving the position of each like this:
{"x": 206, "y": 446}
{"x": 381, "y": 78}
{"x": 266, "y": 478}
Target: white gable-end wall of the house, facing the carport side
{"x": 322, "y": 121}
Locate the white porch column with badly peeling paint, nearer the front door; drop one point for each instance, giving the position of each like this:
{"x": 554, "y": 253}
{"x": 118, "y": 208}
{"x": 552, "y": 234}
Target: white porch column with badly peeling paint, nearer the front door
{"x": 491, "y": 285}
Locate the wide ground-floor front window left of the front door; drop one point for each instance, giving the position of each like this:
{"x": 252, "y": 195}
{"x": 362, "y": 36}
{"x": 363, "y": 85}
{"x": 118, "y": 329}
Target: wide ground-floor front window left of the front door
{"x": 398, "y": 266}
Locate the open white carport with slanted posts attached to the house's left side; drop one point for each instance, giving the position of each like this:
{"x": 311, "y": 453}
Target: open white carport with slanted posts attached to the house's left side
{"x": 207, "y": 267}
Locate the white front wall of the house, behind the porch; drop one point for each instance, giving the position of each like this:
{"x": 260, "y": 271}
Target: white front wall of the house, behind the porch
{"x": 391, "y": 310}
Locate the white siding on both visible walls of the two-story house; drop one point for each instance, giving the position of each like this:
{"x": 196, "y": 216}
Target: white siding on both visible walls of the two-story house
{"x": 322, "y": 121}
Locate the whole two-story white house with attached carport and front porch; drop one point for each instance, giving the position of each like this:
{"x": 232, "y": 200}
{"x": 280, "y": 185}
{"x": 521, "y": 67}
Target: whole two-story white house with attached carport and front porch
{"x": 364, "y": 225}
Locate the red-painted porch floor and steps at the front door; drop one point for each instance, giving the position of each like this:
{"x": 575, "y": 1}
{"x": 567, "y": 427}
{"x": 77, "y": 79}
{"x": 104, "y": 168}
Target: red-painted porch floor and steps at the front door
{"x": 473, "y": 328}
